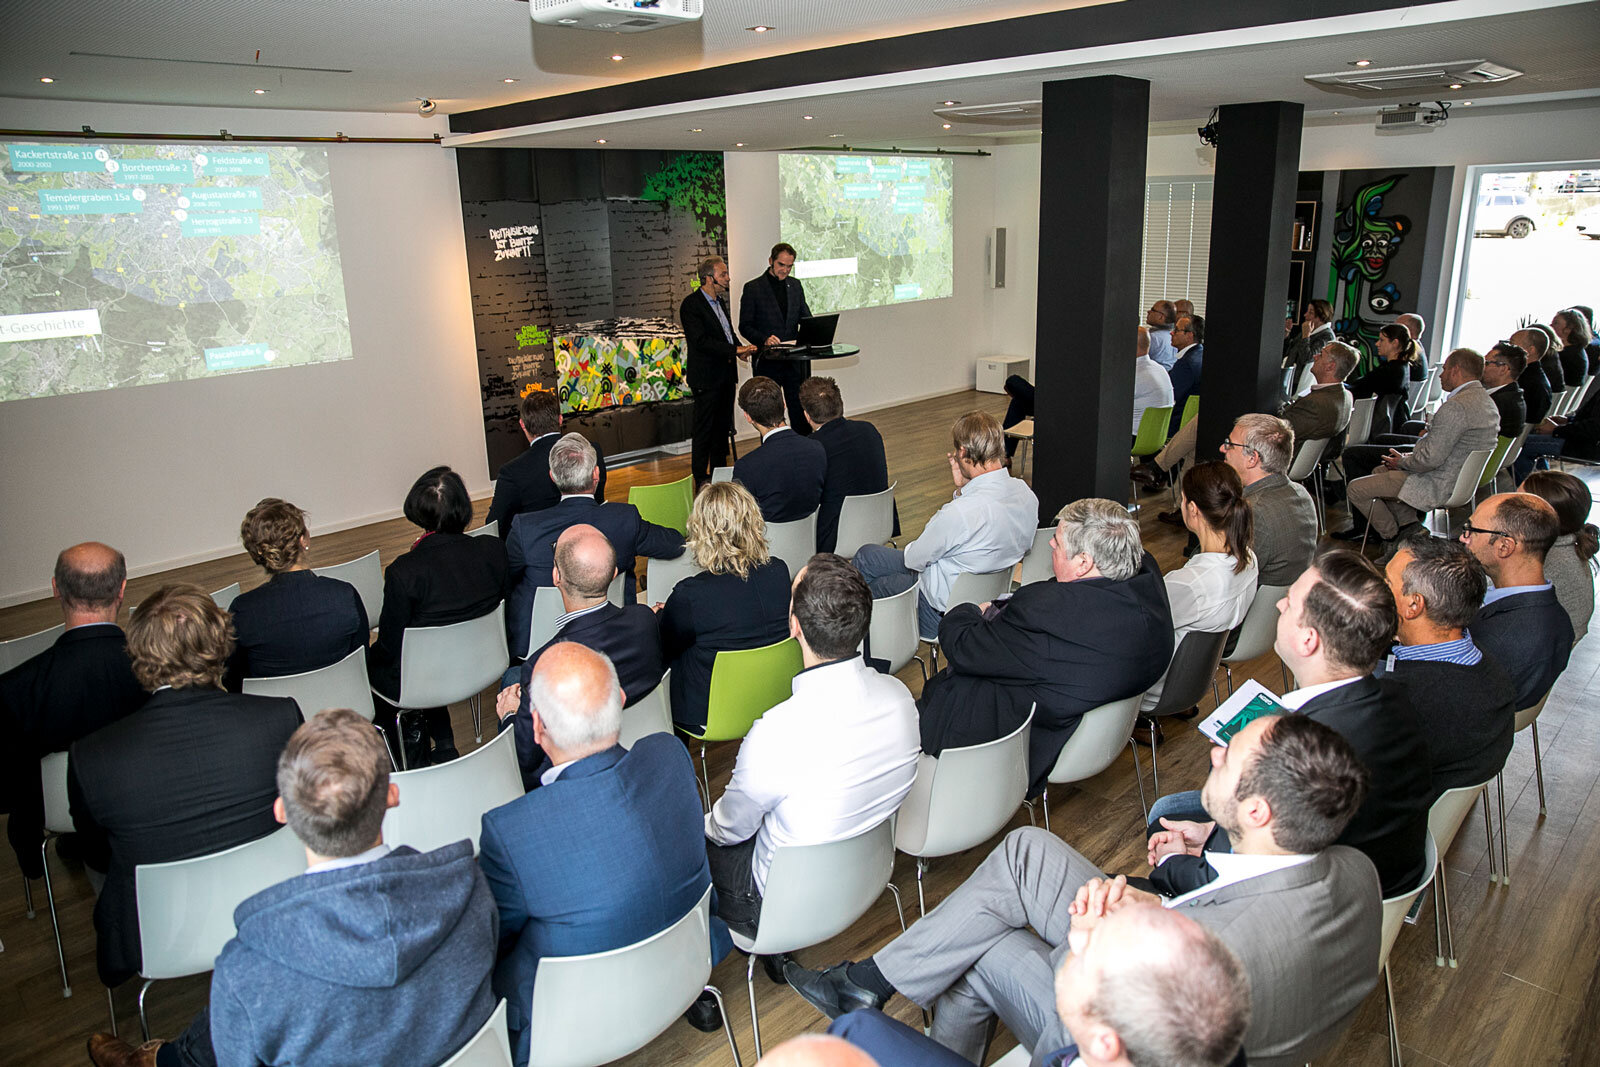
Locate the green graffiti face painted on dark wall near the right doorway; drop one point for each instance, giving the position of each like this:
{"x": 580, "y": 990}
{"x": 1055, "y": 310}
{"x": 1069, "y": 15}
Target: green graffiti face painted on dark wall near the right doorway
{"x": 1364, "y": 242}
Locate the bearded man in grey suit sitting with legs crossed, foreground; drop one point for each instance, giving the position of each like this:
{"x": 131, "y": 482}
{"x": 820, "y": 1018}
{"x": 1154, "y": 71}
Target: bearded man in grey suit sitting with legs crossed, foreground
{"x": 1303, "y": 917}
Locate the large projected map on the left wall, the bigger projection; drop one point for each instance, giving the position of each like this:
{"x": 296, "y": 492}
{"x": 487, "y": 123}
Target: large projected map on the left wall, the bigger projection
{"x": 138, "y": 265}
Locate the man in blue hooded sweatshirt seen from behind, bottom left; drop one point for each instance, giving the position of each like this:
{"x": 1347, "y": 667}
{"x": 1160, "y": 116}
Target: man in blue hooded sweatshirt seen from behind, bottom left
{"x": 369, "y": 933}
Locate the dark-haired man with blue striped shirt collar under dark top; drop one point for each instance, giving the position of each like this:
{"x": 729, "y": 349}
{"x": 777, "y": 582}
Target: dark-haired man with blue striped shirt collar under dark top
{"x": 1463, "y": 700}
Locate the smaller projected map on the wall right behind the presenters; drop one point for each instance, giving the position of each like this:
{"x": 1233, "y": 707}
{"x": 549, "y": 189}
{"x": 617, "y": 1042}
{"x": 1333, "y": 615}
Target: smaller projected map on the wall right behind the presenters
{"x": 868, "y": 231}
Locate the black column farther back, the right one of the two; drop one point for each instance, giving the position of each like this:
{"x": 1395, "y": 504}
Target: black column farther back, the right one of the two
{"x": 1252, "y": 222}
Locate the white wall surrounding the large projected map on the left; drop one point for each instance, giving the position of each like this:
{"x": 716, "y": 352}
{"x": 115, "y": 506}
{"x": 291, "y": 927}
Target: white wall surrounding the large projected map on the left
{"x": 166, "y": 473}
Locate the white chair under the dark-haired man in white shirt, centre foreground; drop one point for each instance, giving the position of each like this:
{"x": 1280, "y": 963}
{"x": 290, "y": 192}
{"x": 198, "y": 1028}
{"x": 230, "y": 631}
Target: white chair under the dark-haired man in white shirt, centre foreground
{"x": 818, "y": 892}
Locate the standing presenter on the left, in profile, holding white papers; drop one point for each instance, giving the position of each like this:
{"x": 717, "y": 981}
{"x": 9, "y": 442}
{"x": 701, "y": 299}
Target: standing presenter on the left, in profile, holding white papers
{"x": 713, "y": 374}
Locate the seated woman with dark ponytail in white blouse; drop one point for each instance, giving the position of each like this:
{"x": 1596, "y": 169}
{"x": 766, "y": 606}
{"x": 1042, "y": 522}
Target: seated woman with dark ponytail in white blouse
{"x": 1212, "y": 593}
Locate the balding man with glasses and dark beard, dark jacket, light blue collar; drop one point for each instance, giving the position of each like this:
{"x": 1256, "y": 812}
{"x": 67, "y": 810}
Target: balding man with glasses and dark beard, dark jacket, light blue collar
{"x": 1522, "y": 623}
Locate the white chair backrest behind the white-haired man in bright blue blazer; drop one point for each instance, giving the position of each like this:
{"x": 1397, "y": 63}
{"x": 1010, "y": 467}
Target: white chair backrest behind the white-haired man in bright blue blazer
{"x": 601, "y": 1007}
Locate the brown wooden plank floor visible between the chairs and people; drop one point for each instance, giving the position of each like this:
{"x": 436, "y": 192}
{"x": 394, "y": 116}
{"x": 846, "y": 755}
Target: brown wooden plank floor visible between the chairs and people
{"x": 1527, "y": 989}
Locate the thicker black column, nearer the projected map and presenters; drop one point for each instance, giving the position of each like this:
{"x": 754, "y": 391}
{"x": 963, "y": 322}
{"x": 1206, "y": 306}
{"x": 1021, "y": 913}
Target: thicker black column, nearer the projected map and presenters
{"x": 1090, "y": 236}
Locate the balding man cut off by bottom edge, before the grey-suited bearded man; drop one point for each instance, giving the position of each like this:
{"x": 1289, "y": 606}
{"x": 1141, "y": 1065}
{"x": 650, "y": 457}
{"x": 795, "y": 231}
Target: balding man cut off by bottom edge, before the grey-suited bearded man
{"x": 1106, "y": 1015}
